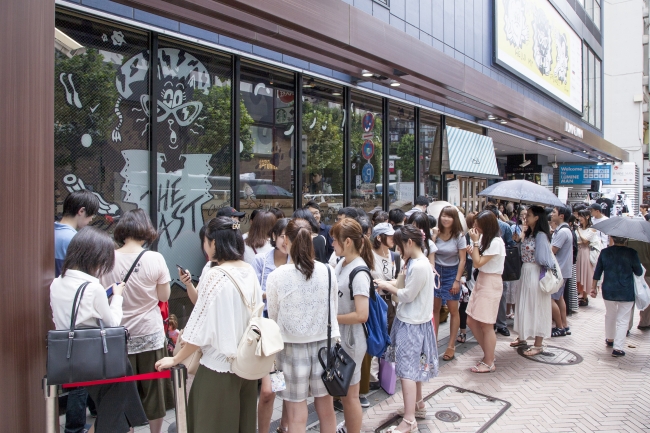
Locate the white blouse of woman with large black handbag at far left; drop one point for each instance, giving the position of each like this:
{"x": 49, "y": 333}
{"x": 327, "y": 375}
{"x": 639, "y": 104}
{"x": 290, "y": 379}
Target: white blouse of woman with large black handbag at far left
{"x": 94, "y": 303}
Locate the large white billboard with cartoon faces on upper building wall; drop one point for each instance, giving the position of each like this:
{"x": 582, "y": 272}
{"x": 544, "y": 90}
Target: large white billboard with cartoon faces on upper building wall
{"x": 532, "y": 40}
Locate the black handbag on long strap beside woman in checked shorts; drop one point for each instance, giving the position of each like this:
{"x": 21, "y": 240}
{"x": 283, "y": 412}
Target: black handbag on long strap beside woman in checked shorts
{"x": 339, "y": 366}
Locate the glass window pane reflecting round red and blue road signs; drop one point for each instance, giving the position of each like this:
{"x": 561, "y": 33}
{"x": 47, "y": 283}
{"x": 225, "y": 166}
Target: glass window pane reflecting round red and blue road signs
{"x": 366, "y": 147}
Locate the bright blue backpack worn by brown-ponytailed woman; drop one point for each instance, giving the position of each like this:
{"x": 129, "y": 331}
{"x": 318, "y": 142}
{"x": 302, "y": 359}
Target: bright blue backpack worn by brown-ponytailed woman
{"x": 376, "y": 327}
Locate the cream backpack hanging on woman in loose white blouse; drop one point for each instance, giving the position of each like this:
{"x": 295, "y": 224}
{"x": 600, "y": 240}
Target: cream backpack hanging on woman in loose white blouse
{"x": 259, "y": 343}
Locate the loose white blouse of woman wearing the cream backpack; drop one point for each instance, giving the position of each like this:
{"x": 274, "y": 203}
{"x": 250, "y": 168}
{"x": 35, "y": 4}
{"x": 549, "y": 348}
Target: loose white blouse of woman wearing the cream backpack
{"x": 220, "y": 317}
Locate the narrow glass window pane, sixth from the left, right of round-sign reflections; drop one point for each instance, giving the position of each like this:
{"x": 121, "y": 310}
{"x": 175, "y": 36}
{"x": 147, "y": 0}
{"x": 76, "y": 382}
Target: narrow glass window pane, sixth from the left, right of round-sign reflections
{"x": 401, "y": 146}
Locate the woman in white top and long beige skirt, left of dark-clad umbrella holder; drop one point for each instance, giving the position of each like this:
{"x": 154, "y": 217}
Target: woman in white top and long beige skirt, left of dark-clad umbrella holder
{"x": 584, "y": 268}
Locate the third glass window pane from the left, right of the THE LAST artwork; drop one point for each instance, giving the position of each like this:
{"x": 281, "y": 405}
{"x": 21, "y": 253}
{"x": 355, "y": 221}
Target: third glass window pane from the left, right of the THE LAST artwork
{"x": 266, "y": 142}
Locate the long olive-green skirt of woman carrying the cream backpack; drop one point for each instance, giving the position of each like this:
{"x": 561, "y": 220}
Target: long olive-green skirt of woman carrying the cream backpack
{"x": 221, "y": 403}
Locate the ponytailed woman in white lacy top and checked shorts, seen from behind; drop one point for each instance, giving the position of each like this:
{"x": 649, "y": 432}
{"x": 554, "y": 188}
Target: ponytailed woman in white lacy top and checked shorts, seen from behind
{"x": 296, "y": 294}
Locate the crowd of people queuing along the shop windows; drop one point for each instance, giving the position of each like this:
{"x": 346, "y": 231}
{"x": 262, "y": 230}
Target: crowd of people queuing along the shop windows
{"x": 301, "y": 269}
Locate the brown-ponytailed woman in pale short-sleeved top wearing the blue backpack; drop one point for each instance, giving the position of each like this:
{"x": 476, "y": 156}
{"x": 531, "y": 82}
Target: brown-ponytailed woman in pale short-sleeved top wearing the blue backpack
{"x": 355, "y": 250}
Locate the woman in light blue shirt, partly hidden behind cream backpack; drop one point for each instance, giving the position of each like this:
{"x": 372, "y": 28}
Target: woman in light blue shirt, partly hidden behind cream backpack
{"x": 265, "y": 264}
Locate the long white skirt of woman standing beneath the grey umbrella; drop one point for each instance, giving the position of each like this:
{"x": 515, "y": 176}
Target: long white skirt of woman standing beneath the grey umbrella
{"x": 533, "y": 312}
